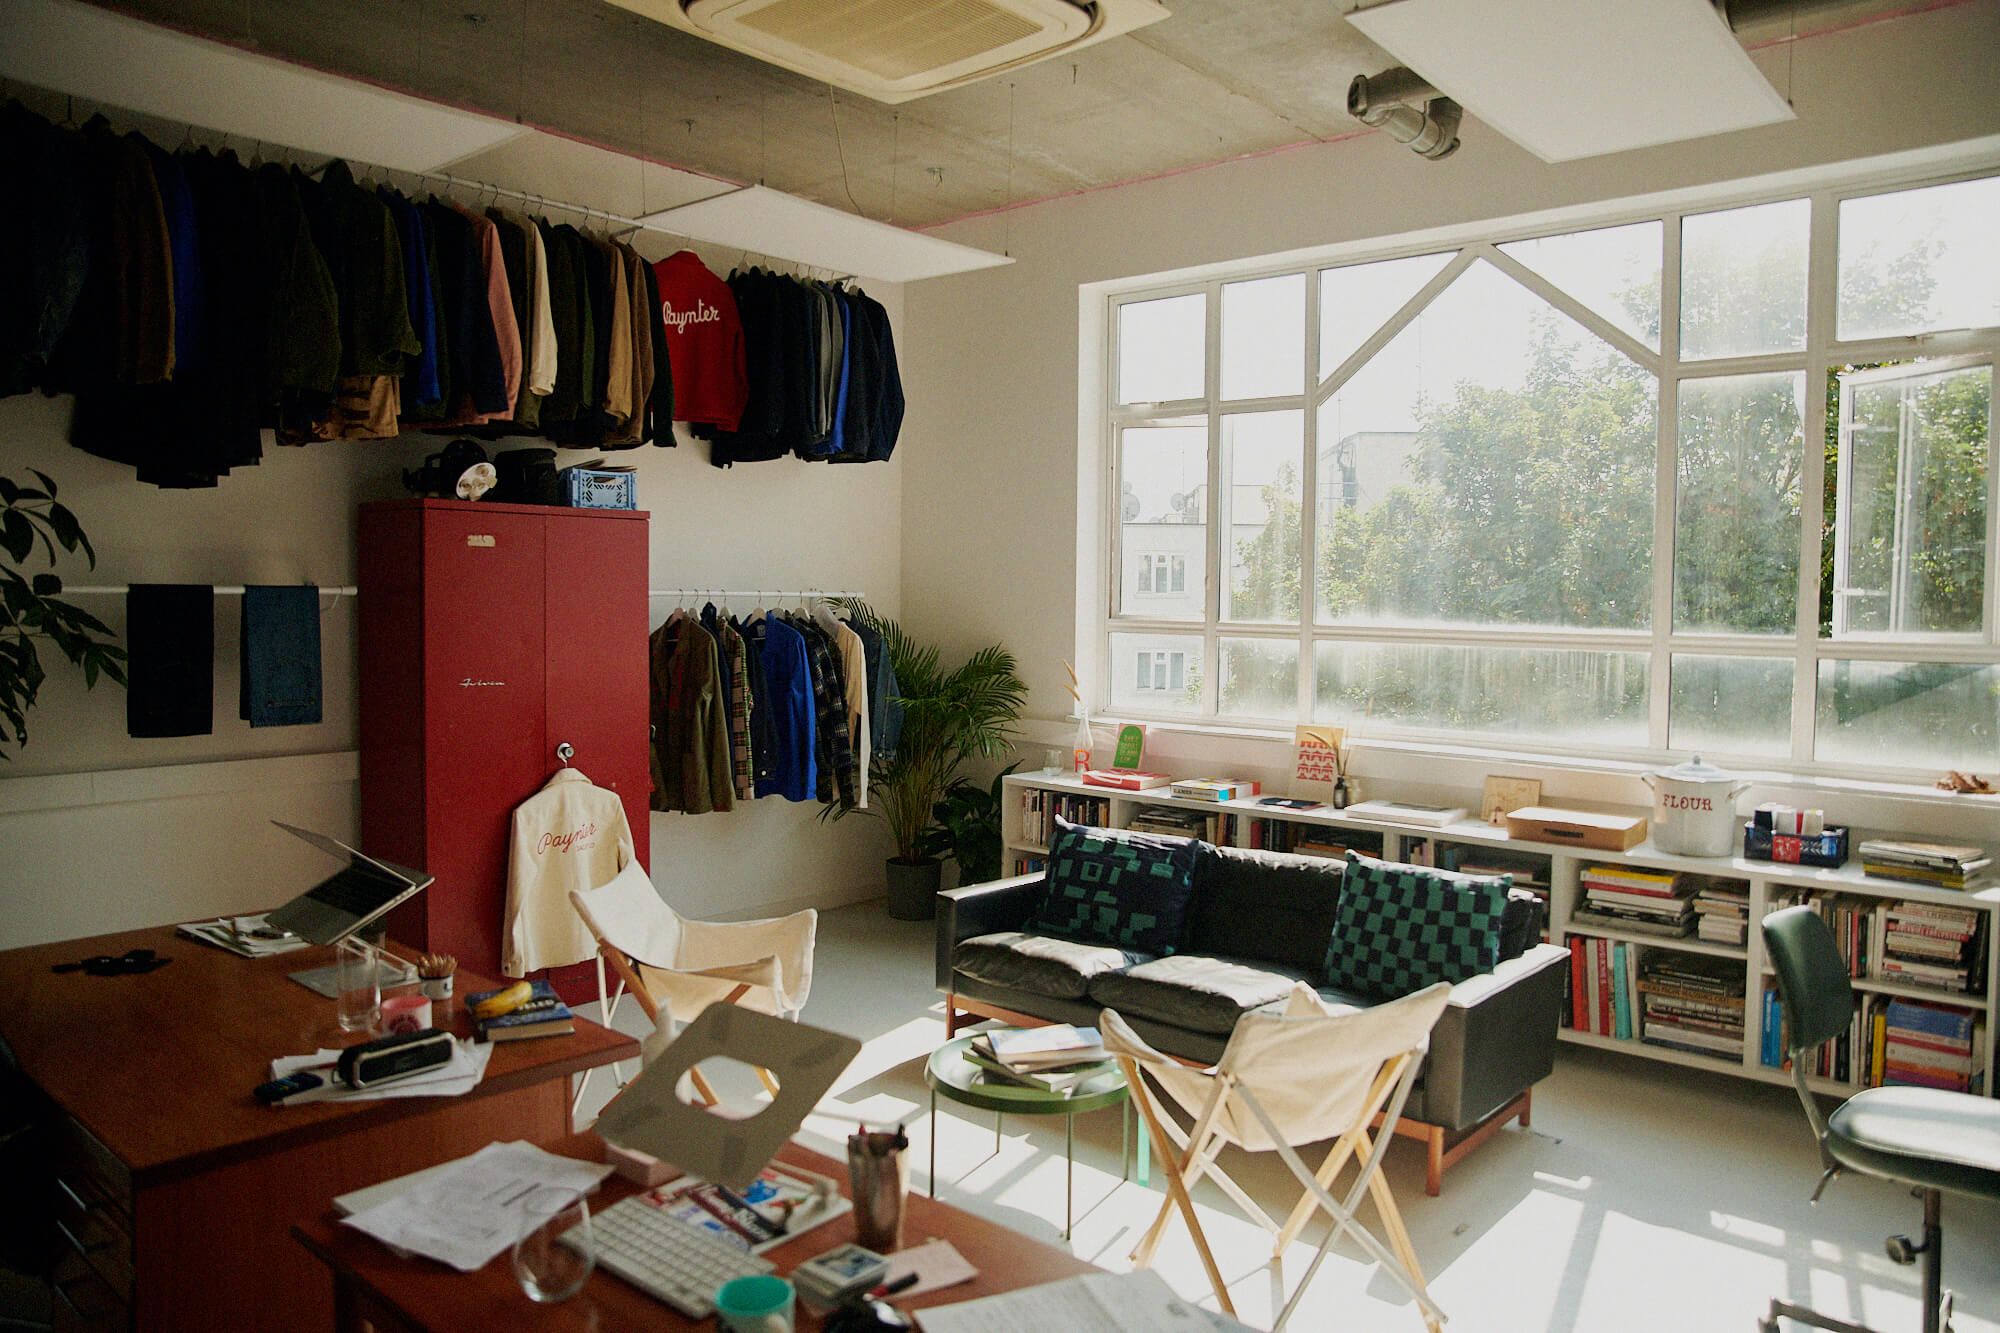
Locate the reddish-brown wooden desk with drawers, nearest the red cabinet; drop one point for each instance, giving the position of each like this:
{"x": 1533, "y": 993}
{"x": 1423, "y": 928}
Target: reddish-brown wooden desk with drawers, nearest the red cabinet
{"x": 173, "y": 1186}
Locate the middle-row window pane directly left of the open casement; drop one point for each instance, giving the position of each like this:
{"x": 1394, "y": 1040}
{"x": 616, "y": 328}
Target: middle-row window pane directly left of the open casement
{"x": 1737, "y": 513}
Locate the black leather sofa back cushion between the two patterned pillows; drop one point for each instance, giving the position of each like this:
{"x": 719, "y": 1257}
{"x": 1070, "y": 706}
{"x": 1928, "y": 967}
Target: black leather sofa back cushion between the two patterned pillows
{"x": 1263, "y": 906}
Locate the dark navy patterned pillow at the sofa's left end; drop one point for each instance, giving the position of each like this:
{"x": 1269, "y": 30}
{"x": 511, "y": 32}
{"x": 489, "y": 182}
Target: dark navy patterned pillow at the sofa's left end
{"x": 1117, "y": 888}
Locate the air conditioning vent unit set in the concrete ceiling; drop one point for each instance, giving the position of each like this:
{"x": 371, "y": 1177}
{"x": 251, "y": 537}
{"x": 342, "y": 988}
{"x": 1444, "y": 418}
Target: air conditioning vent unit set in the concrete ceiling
{"x": 895, "y": 51}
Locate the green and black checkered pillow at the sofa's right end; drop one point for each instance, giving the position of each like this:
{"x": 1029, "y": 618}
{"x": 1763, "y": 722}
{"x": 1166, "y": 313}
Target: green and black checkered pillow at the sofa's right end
{"x": 1403, "y": 928}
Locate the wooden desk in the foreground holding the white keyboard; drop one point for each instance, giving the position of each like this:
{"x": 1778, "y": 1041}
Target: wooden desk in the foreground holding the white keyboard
{"x": 377, "y": 1290}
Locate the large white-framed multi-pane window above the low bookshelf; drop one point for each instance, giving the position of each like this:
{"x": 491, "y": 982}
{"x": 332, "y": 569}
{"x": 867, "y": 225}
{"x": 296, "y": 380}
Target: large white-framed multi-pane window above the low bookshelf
{"x": 1715, "y": 479}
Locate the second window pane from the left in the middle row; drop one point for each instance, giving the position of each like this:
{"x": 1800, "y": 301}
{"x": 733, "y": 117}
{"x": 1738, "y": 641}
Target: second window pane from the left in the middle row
{"x": 1261, "y": 459}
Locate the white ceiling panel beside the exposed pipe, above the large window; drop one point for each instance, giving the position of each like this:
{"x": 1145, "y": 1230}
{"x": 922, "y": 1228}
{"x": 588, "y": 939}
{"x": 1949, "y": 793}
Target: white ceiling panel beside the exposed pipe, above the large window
{"x": 1577, "y": 79}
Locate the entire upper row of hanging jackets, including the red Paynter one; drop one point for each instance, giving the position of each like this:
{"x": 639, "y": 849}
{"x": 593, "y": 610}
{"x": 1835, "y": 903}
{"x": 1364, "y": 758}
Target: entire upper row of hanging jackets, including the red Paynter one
{"x": 191, "y": 303}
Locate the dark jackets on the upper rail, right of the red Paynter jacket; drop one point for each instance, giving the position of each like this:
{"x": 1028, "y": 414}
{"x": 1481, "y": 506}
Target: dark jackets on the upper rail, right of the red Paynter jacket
{"x": 821, "y": 375}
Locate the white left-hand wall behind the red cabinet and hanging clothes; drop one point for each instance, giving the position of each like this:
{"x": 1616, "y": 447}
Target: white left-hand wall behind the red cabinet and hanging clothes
{"x": 101, "y": 832}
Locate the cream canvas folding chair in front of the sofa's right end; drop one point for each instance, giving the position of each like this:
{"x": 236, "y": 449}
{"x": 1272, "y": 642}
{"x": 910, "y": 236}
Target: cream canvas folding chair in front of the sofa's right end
{"x": 1289, "y": 1080}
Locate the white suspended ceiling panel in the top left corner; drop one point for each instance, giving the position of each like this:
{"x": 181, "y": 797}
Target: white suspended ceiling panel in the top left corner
{"x": 105, "y": 57}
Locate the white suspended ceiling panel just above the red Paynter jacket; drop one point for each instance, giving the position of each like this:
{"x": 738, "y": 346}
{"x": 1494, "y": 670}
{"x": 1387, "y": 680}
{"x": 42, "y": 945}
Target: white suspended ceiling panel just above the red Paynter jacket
{"x": 773, "y": 223}
